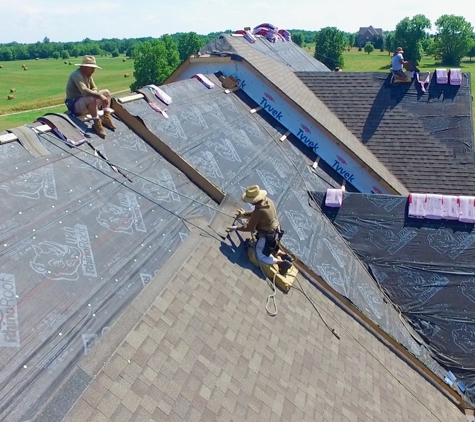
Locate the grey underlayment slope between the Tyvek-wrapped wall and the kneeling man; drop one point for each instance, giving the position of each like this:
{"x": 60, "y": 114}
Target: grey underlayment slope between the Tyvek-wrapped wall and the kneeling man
{"x": 234, "y": 148}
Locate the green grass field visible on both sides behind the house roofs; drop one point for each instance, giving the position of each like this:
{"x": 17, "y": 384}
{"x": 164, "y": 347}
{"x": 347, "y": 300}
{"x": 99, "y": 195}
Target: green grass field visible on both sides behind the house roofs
{"x": 43, "y": 84}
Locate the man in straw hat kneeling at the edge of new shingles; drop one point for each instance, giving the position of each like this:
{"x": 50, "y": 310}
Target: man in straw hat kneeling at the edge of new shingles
{"x": 263, "y": 219}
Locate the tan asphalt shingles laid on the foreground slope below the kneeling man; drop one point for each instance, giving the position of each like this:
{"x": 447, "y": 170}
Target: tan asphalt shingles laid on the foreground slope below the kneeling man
{"x": 242, "y": 364}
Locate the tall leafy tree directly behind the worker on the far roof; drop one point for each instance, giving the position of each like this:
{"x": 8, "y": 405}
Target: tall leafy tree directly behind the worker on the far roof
{"x": 409, "y": 33}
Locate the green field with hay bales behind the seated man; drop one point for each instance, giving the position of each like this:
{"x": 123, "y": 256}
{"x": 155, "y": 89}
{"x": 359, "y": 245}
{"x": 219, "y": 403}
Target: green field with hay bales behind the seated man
{"x": 43, "y": 85}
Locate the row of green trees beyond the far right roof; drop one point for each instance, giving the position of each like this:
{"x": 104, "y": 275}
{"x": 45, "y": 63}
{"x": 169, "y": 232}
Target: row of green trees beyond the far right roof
{"x": 454, "y": 39}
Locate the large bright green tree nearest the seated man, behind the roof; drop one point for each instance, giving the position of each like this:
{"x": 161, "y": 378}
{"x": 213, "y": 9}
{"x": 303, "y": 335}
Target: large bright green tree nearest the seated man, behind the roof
{"x": 154, "y": 62}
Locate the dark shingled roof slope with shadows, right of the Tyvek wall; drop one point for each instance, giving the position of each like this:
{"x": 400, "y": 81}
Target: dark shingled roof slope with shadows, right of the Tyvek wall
{"x": 415, "y": 134}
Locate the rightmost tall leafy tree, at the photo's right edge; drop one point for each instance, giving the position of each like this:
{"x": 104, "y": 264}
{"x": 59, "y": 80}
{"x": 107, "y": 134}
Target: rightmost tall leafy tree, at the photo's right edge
{"x": 452, "y": 39}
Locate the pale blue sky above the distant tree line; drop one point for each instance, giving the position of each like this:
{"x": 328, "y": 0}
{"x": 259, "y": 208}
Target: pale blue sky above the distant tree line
{"x": 29, "y": 21}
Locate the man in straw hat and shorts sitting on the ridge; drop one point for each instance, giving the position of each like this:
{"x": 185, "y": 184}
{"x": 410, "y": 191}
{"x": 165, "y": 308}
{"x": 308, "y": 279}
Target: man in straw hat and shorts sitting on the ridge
{"x": 83, "y": 97}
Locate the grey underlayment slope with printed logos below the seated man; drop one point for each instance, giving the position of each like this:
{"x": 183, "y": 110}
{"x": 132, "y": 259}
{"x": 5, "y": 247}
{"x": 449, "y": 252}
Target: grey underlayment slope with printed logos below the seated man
{"x": 78, "y": 244}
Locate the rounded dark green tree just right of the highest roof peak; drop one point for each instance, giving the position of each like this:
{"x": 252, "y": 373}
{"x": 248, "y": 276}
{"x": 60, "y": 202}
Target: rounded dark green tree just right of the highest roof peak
{"x": 329, "y": 46}
